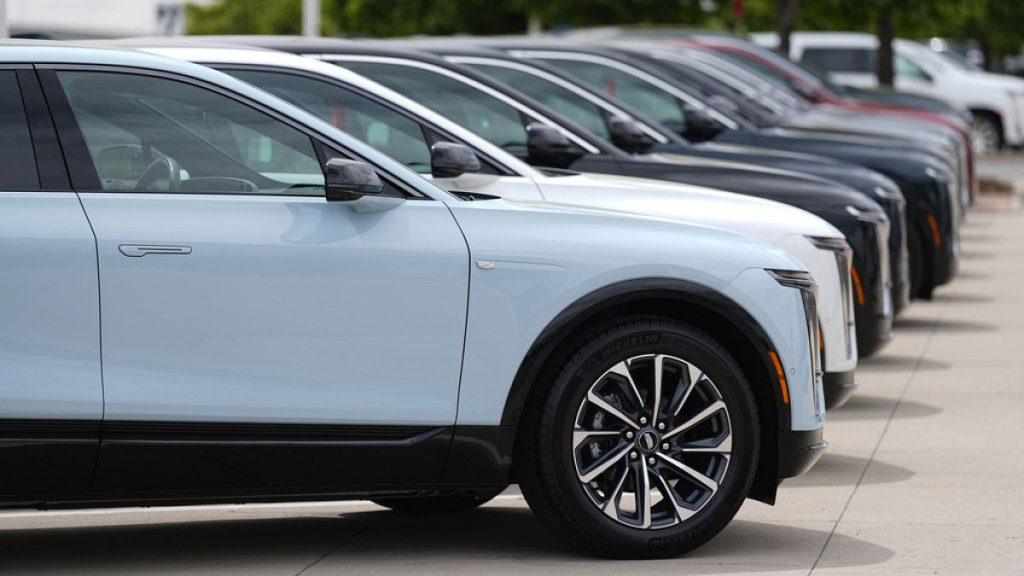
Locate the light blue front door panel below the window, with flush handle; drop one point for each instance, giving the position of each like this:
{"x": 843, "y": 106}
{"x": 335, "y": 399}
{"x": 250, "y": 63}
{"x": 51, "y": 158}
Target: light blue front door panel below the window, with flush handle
{"x": 288, "y": 310}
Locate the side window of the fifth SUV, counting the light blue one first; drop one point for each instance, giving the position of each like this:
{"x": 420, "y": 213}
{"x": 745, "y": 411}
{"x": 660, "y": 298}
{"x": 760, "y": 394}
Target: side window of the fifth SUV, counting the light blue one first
{"x": 628, "y": 89}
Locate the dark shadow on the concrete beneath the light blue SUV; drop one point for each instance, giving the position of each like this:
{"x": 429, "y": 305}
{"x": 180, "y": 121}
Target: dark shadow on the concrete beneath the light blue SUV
{"x": 505, "y": 536}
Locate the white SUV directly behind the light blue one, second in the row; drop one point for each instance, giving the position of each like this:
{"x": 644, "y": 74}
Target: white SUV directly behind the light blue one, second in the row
{"x": 325, "y": 91}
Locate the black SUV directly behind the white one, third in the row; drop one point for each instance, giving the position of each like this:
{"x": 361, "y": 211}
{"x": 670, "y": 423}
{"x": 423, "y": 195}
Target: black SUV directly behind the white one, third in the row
{"x": 867, "y": 232}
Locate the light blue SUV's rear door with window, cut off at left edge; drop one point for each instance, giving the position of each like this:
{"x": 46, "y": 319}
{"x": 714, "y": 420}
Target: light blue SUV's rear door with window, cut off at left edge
{"x": 51, "y": 389}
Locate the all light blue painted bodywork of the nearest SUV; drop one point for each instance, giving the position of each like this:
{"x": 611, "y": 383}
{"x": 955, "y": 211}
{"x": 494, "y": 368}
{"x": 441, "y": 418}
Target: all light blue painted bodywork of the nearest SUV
{"x": 293, "y": 310}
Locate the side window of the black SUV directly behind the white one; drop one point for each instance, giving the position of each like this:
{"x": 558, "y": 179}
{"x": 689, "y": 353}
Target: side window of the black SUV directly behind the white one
{"x": 487, "y": 116}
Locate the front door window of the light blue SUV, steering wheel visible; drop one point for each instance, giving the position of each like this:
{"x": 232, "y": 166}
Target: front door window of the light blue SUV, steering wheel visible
{"x": 153, "y": 135}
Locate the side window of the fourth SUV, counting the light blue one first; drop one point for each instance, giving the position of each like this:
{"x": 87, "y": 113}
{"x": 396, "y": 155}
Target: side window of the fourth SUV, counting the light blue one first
{"x": 557, "y": 98}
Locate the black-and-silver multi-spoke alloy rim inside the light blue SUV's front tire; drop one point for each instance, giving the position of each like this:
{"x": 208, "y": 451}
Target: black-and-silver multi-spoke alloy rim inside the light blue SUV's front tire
{"x": 652, "y": 441}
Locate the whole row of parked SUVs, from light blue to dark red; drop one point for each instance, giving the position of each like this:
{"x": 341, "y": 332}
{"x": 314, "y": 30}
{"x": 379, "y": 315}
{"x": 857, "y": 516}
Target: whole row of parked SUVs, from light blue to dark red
{"x": 630, "y": 277}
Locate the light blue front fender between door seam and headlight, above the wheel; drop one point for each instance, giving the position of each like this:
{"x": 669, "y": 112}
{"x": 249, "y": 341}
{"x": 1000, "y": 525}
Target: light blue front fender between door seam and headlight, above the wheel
{"x": 568, "y": 254}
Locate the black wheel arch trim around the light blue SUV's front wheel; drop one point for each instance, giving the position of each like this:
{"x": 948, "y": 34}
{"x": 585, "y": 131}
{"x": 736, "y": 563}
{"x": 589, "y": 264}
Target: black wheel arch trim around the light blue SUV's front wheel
{"x": 697, "y": 305}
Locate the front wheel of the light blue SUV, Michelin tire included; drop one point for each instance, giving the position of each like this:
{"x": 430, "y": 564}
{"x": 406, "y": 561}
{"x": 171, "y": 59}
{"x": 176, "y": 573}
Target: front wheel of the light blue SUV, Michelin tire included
{"x": 550, "y": 449}
